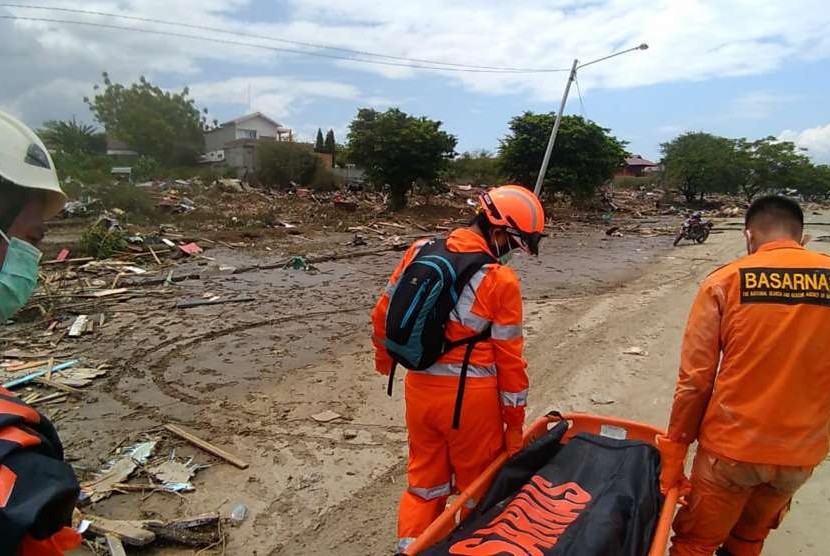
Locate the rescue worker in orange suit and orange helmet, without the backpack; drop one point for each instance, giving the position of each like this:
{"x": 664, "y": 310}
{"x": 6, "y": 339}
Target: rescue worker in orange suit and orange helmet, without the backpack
{"x": 442, "y": 459}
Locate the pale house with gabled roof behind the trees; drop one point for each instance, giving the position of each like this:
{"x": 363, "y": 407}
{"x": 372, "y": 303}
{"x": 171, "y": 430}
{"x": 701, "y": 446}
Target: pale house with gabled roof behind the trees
{"x": 232, "y": 142}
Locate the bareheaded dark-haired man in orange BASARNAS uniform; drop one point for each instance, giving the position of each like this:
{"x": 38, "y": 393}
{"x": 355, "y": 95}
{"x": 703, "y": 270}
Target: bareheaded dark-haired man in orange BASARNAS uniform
{"x": 753, "y": 388}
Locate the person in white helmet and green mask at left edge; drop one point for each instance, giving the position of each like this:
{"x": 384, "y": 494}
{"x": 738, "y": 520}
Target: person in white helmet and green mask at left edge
{"x": 38, "y": 490}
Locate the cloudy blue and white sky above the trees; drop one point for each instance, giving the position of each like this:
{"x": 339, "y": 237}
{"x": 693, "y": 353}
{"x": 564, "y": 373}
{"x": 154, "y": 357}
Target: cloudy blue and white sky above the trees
{"x": 689, "y": 40}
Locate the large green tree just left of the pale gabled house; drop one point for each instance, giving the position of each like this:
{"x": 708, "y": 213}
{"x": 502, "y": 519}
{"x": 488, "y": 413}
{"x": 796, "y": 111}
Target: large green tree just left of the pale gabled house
{"x": 156, "y": 123}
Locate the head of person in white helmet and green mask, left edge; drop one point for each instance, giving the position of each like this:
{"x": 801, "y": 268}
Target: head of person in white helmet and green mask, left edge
{"x": 29, "y": 195}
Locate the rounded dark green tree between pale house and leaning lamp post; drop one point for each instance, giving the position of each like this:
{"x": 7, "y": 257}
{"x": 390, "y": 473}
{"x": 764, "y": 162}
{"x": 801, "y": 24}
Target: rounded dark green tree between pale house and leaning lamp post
{"x": 397, "y": 149}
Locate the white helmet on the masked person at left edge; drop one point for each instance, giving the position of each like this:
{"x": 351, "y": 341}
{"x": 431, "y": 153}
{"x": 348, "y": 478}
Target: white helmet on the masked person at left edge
{"x": 25, "y": 162}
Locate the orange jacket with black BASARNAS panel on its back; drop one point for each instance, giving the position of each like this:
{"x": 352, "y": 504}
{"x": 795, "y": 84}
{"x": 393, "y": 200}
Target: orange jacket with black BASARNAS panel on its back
{"x": 766, "y": 319}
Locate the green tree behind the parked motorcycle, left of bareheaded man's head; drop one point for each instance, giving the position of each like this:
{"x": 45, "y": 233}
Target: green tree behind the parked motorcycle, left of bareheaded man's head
{"x": 698, "y": 163}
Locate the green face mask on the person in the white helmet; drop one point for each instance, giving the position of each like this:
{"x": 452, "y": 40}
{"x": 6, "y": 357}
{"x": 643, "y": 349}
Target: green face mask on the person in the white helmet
{"x": 18, "y": 277}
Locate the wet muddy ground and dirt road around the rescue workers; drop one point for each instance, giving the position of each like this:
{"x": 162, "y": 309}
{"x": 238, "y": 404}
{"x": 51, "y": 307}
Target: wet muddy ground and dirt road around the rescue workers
{"x": 249, "y": 377}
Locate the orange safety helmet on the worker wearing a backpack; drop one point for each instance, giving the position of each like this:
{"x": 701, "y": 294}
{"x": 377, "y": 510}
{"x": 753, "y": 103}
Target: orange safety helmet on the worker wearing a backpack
{"x": 518, "y": 212}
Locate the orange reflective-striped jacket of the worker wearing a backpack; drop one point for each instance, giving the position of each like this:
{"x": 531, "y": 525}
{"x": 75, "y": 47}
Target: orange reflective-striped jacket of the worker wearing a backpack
{"x": 494, "y": 298}
